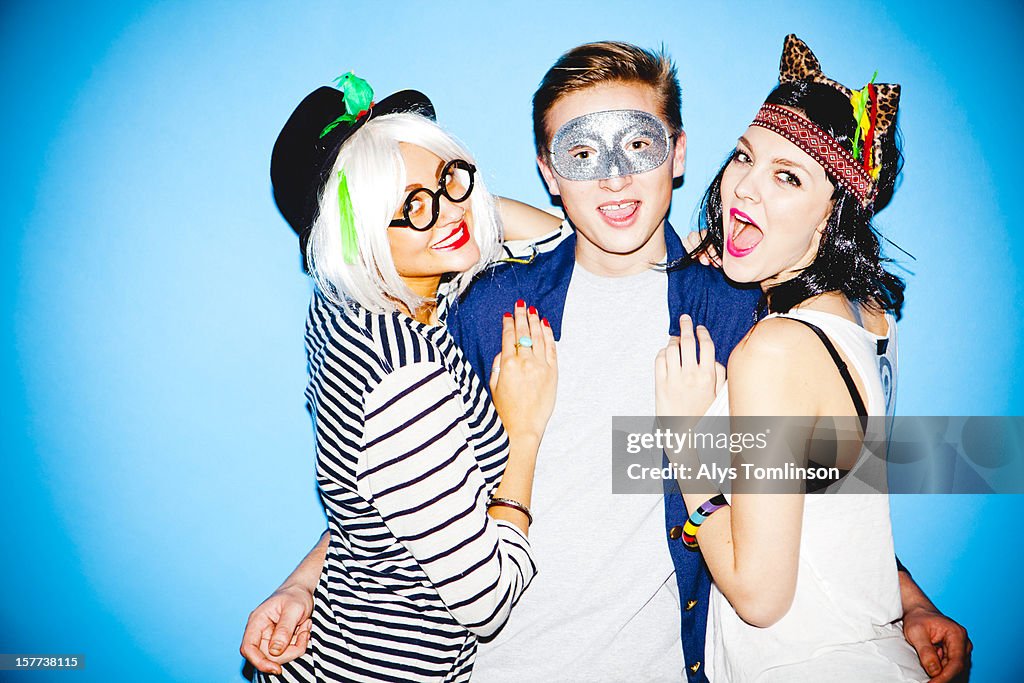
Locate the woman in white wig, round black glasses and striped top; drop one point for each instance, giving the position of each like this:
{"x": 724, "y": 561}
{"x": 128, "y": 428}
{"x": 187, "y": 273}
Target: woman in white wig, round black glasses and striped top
{"x": 425, "y": 480}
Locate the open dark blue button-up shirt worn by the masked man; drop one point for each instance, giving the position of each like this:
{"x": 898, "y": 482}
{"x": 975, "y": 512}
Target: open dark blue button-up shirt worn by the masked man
{"x": 728, "y": 312}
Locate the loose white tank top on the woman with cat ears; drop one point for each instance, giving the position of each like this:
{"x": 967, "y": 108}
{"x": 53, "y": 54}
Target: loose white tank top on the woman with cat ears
{"x": 843, "y": 625}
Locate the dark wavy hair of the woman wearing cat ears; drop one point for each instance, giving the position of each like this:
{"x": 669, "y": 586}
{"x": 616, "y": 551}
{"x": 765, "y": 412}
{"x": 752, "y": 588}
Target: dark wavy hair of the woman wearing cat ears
{"x": 849, "y": 259}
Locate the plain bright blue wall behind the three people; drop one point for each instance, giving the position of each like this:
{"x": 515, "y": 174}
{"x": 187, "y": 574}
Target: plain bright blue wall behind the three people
{"x": 158, "y": 473}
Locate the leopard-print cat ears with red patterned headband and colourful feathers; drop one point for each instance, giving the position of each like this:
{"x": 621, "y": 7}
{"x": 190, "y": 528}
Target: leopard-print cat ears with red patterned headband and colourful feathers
{"x": 874, "y": 108}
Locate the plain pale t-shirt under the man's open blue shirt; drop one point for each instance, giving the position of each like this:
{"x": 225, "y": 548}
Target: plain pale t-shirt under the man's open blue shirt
{"x": 605, "y": 605}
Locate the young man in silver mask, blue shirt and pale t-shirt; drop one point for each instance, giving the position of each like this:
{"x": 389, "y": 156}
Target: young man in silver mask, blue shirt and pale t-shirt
{"x": 610, "y": 604}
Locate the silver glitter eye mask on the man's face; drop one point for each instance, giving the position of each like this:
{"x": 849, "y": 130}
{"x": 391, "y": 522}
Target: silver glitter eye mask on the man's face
{"x": 610, "y": 145}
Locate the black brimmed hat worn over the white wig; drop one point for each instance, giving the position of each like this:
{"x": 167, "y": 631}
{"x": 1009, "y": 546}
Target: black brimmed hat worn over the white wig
{"x": 309, "y": 145}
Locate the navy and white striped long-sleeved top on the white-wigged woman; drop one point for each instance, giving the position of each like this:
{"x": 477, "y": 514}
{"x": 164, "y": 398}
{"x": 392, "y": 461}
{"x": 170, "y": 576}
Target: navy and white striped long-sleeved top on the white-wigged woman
{"x": 409, "y": 447}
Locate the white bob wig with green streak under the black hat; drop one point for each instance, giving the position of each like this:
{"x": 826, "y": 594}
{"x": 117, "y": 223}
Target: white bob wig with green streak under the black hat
{"x": 376, "y": 177}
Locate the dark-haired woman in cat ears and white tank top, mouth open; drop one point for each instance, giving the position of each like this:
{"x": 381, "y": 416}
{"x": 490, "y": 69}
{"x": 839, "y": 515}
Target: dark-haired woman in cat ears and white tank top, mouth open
{"x": 806, "y": 587}
